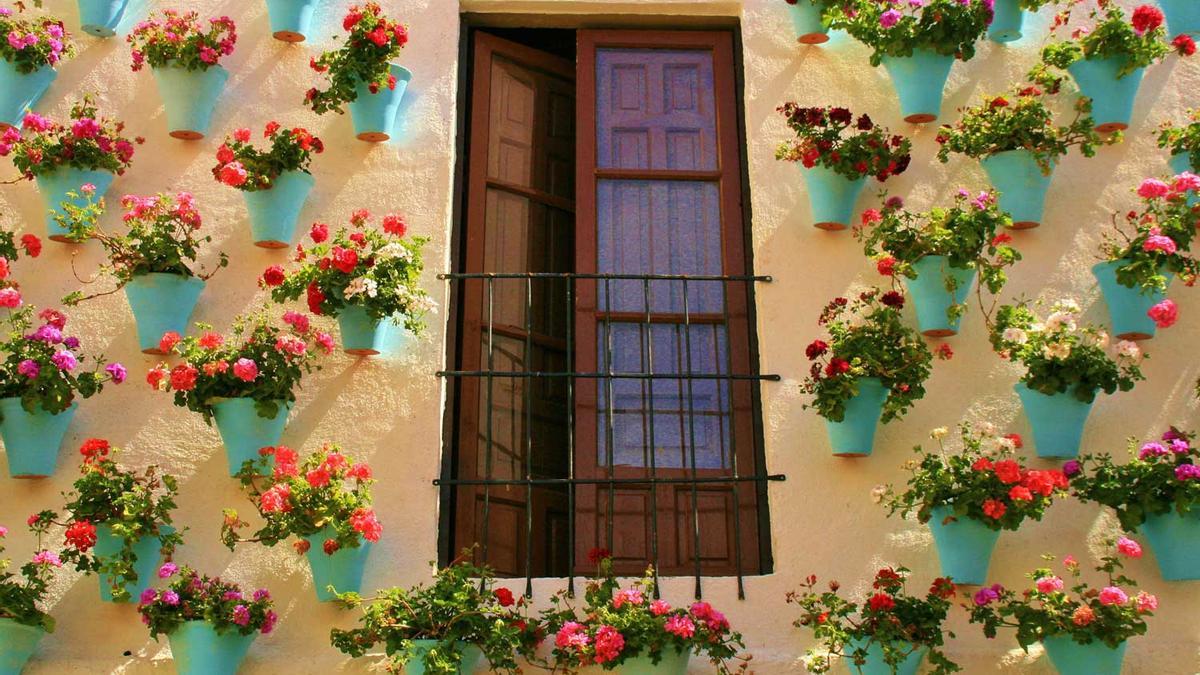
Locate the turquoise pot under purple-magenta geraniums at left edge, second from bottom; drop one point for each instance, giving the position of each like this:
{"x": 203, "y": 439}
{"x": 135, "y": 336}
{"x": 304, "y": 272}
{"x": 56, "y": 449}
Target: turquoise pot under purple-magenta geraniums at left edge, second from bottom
{"x": 32, "y": 440}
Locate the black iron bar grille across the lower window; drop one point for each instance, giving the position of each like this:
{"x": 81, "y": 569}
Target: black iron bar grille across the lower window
{"x": 605, "y": 379}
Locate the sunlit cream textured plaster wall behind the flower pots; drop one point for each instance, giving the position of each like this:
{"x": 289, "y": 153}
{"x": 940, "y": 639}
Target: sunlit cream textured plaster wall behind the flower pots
{"x": 389, "y": 410}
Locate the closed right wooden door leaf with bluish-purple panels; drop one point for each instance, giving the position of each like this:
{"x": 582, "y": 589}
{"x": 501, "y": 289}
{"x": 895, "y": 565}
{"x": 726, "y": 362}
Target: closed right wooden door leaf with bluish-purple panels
{"x": 661, "y": 194}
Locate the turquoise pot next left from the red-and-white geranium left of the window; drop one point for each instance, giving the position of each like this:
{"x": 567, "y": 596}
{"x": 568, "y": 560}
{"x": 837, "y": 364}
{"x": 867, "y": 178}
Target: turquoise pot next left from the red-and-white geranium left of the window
{"x": 163, "y": 303}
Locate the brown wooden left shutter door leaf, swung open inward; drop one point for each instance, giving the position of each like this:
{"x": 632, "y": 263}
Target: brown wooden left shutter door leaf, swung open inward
{"x": 520, "y": 219}
